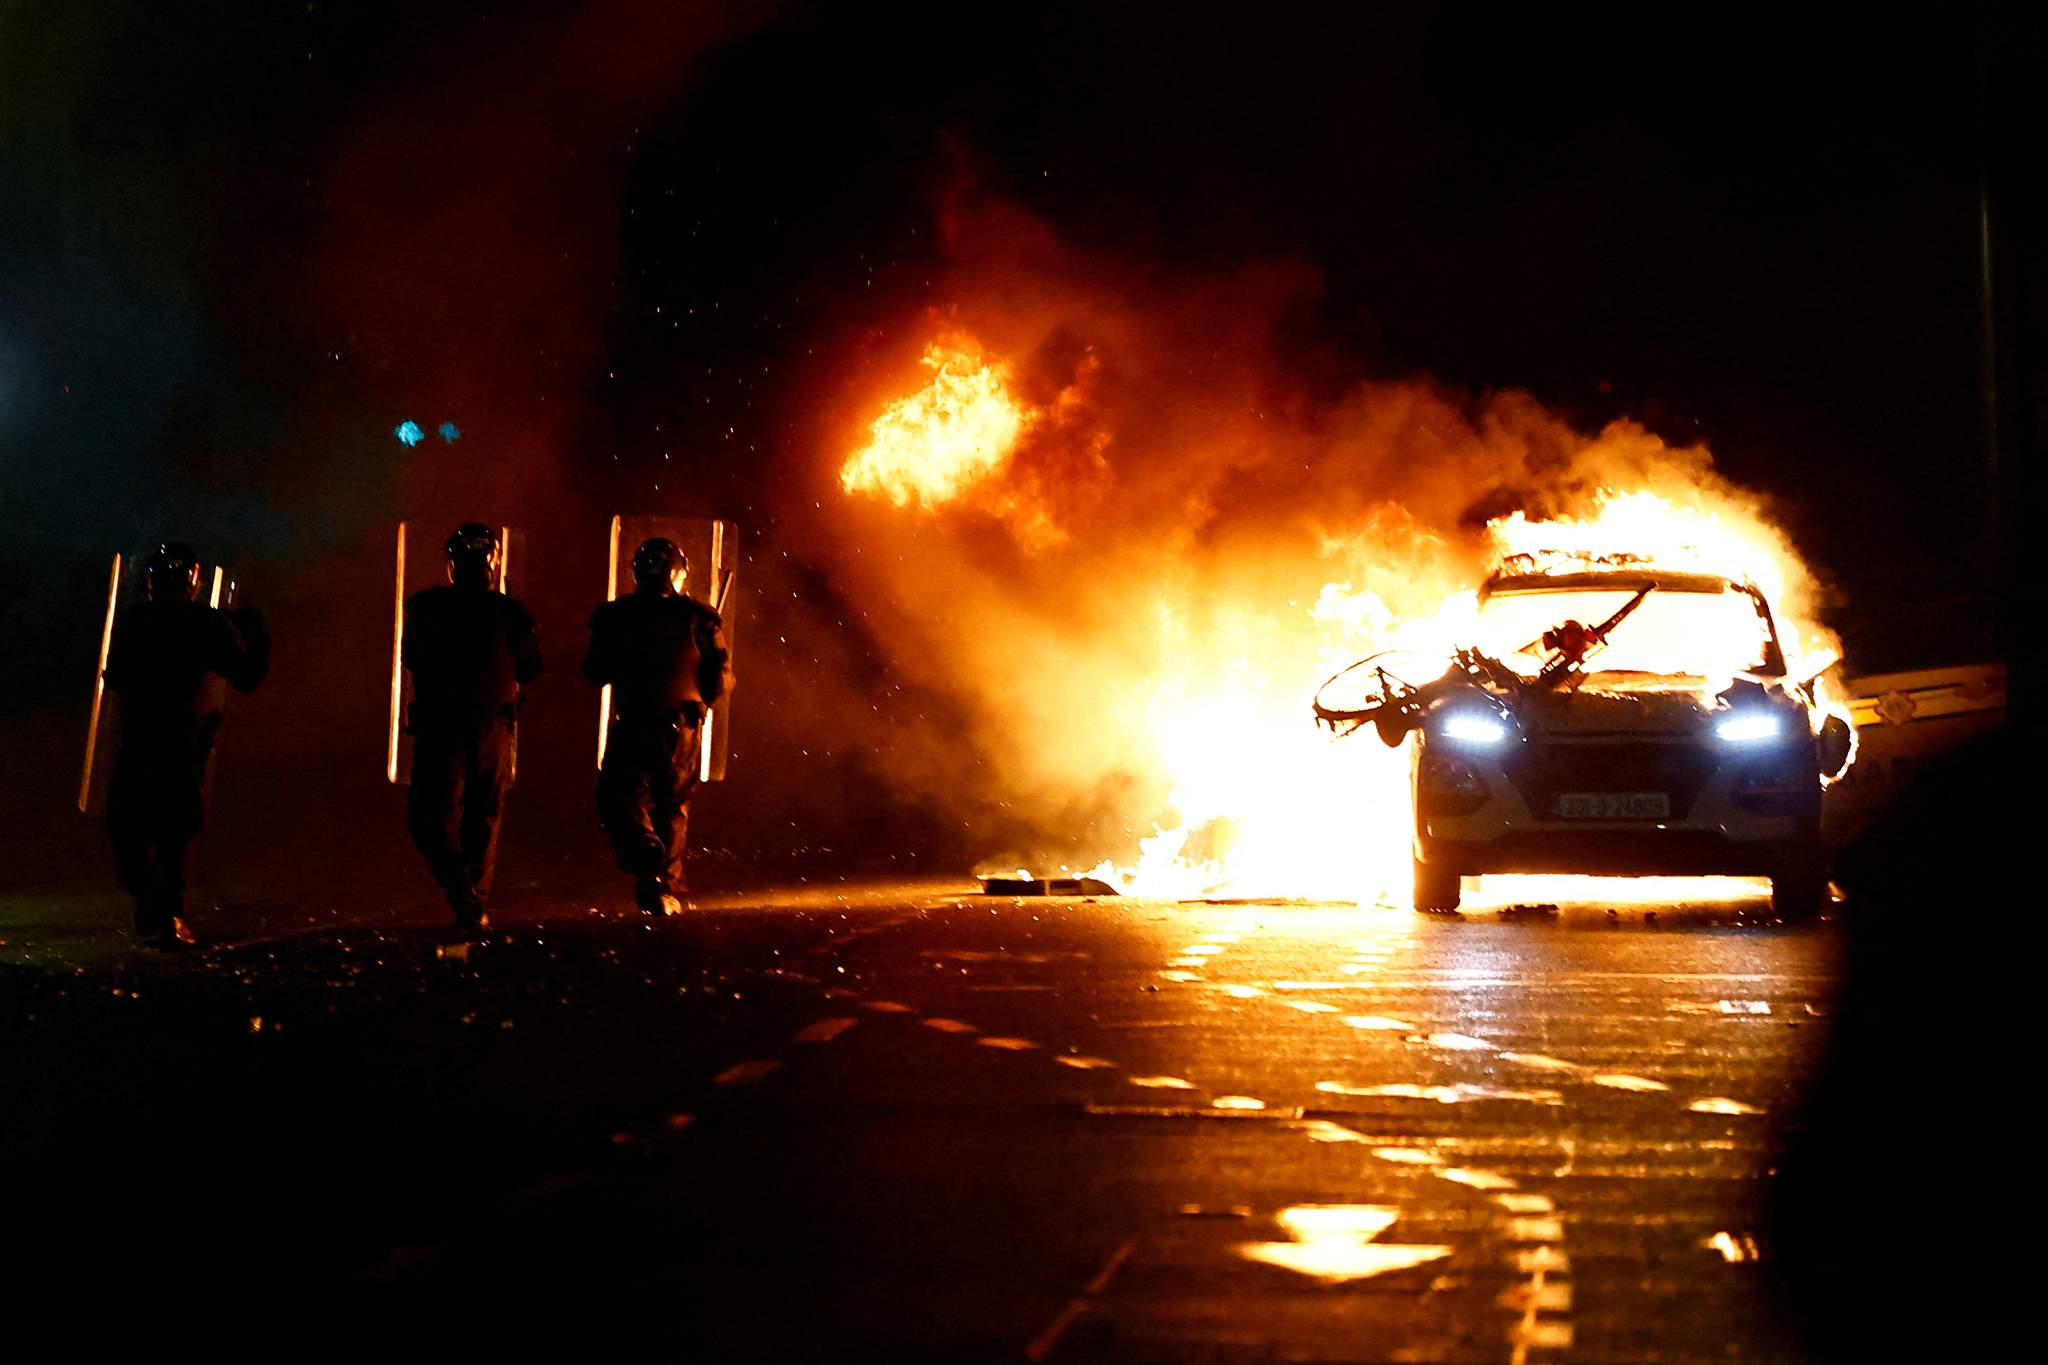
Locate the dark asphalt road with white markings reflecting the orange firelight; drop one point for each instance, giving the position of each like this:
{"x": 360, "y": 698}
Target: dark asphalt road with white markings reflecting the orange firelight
{"x": 919, "y": 1125}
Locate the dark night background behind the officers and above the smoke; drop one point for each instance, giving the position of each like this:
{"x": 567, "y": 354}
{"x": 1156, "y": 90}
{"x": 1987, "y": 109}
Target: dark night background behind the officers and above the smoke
{"x": 622, "y": 247}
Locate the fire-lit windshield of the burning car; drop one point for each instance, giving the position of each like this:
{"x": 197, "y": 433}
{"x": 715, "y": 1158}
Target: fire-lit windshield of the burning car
{"x": 1670, "y": 633}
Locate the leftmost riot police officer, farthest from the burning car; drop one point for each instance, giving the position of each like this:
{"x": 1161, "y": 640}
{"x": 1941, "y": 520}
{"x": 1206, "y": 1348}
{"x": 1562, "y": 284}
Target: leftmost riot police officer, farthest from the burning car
{"x": 169, "y": 664}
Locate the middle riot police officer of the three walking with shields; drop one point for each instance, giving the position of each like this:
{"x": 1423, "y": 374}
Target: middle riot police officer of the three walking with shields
{"x": 470, "y": 650}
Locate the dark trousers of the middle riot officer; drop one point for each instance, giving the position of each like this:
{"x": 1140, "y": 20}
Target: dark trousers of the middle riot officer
{"x": 460, "y": 779}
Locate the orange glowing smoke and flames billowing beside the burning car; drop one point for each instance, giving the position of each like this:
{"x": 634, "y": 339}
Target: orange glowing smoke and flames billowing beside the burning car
{"x": 1191, "y": 533}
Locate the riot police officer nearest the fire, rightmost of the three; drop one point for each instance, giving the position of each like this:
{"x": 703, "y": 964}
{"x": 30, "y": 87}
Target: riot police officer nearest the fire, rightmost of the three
{"x": 665, "y": 658}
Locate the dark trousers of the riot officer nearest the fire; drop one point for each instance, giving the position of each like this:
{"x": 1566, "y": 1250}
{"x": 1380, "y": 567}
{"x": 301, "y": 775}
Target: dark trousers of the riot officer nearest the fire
{"x": 644, "y": 795}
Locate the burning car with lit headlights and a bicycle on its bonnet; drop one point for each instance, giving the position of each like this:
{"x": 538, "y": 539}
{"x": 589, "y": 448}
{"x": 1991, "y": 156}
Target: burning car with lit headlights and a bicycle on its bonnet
{"x": 1615, "y": 719}
